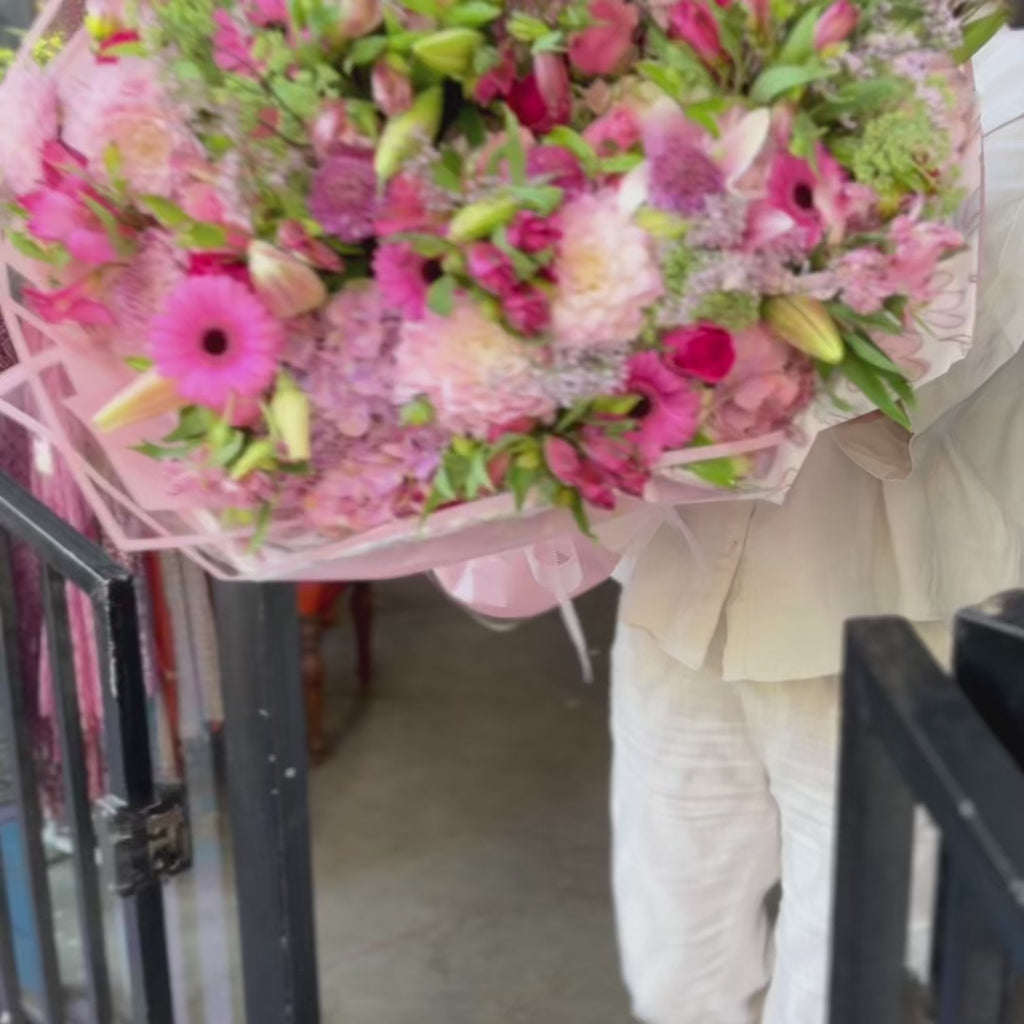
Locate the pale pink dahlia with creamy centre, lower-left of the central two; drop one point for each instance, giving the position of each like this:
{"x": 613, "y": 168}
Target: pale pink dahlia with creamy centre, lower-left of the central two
{"x": 475, "y": 372}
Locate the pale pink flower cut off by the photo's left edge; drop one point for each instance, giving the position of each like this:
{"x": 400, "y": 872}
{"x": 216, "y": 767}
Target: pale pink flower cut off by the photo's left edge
{"x": 29, "y": 102}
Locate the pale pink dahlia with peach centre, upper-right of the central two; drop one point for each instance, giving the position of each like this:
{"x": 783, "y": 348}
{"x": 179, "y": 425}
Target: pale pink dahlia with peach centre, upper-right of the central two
{"x": 607, "y": 276}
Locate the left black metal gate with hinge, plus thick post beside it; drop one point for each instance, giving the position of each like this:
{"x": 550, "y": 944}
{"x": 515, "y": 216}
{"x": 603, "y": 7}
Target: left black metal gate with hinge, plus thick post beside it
{"x": 139, "y": 834}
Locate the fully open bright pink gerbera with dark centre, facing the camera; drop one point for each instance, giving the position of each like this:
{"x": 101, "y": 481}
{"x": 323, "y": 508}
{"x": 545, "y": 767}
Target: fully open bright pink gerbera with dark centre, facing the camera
{"x": 217, "y": 339}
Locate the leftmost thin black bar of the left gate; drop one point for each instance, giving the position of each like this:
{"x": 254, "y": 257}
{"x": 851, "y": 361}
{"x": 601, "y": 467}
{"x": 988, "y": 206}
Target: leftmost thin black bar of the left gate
{"x": 23, "y": 769}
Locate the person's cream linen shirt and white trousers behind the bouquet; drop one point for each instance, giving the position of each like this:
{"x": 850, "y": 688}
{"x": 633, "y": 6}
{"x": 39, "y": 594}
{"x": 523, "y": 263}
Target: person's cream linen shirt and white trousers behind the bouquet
{"x": 726, "y": 694}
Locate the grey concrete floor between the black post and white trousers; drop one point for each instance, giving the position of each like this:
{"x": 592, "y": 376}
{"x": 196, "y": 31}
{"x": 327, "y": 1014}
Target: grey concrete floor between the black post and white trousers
{"x": 460, "y": 826}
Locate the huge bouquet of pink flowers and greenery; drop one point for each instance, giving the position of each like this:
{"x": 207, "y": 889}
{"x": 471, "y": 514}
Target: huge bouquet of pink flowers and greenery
{"x": 339, "y": 265}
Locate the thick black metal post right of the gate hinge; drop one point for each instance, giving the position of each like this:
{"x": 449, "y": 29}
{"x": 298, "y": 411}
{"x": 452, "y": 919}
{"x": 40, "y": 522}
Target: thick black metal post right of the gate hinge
{"x": 269, "y": 802}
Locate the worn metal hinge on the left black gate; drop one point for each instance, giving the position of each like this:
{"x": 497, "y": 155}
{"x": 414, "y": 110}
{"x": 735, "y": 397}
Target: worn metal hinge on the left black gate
{"x": 147, "y": 845}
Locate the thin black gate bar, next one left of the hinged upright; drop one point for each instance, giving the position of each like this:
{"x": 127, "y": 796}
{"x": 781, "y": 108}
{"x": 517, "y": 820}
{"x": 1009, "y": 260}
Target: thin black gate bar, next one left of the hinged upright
{"x": 77, "y": 795}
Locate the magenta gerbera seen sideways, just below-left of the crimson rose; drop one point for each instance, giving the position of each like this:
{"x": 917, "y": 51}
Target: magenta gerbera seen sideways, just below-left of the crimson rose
{"x": 669, "y": 413}
